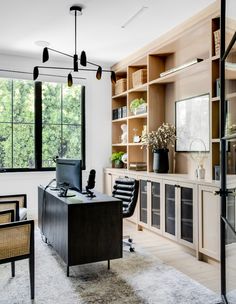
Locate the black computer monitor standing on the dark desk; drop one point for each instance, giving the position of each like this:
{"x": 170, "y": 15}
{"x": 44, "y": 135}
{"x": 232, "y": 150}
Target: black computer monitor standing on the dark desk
{"x": 69, "y": 171}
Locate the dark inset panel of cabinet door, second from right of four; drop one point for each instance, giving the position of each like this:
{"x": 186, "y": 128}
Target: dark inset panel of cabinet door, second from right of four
{"x": 170, "y": 209}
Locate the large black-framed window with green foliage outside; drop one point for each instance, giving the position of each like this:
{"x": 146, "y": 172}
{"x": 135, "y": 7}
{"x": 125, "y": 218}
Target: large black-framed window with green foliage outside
{"x": 39, "y": 121}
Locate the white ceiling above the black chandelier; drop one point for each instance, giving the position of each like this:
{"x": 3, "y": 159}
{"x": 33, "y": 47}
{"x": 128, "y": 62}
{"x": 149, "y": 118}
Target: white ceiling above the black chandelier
{"x": 99, "y": 28}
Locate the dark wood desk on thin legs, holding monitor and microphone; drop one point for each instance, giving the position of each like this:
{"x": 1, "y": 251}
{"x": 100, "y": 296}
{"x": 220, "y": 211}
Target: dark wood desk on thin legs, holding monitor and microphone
{"x": 81, "y": 230}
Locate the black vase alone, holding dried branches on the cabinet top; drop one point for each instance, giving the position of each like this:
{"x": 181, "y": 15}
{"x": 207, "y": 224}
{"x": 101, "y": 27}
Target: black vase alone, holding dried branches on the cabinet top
{"x": 160, "y": 161}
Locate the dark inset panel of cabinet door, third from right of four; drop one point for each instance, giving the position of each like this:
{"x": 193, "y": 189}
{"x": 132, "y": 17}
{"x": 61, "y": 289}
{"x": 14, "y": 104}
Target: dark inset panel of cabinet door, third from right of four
{"x": 155, "y": 205}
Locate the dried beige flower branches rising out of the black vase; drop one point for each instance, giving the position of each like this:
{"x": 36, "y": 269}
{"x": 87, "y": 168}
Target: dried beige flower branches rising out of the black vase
{"x": 161, "y": 138}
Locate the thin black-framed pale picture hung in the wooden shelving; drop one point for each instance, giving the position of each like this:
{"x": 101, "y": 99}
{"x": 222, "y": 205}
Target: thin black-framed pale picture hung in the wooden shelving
{"x": 192, "y": 122}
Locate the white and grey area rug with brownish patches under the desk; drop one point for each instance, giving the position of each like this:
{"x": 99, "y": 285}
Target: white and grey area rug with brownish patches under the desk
{"x": 137, "y": 278}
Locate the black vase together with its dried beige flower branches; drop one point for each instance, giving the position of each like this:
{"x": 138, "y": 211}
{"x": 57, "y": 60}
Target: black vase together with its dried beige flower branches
{"x": 159, "y": 142}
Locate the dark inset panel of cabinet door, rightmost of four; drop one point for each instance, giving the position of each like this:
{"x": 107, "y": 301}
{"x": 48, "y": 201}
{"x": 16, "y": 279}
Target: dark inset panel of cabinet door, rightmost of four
{"x": 186, "y": 214}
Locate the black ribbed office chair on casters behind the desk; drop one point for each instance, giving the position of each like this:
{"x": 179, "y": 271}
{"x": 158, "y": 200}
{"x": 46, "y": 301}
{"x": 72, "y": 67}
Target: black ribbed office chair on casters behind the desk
{"x": 126, "y": 189}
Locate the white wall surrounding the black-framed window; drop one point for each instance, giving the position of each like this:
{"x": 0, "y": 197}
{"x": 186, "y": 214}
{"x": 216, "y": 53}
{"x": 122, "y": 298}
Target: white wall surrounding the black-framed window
{"x": 98, "y": 132}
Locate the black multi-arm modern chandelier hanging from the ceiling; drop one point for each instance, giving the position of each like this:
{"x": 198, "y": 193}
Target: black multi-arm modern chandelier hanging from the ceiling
{"x": 75, "y": 10}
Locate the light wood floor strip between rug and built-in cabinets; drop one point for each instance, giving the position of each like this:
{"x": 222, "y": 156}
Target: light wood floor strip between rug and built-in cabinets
{"x": 176, "y": 256}
